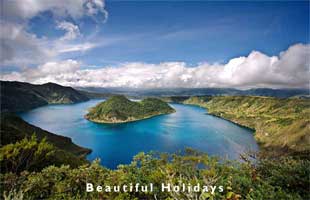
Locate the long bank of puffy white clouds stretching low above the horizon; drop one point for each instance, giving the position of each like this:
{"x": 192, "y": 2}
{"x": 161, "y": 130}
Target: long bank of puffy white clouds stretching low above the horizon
{"x": 288, "y": 70}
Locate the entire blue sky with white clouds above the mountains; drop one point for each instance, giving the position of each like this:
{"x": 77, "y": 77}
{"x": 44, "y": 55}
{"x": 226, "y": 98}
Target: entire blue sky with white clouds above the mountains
{"x": 156, "y": 44}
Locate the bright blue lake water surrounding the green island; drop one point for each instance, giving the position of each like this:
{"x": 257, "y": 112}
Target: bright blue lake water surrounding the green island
{"x": 189, "y": 126}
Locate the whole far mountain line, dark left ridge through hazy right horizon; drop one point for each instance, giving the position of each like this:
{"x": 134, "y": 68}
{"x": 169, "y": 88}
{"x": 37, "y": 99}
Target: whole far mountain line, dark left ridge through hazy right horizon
{"x": 20, "y": 96}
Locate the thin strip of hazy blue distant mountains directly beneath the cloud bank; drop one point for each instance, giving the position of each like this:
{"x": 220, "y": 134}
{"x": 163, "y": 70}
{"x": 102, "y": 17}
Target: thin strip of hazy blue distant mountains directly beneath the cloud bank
{"x": 280, "y": 93}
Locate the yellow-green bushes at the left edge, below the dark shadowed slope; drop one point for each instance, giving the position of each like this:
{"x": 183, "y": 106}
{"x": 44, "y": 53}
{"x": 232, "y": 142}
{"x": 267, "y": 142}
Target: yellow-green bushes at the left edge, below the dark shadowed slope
{"x": 33, "y": 155}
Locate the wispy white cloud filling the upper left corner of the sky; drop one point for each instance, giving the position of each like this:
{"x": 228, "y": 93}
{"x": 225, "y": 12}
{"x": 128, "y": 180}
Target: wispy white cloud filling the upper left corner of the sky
{"x": 20, "y": 48}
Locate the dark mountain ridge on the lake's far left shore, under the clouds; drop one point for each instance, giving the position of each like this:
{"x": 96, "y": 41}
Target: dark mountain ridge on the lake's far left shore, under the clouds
{"x": 19, "y": 96}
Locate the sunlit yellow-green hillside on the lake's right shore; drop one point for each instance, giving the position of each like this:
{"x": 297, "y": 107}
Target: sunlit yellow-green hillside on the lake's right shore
{"x": 280, "y": 124}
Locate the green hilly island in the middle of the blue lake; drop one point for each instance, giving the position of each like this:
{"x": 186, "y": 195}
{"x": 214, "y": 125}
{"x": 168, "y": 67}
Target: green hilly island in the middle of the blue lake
{"x": 119, "y": 109}
